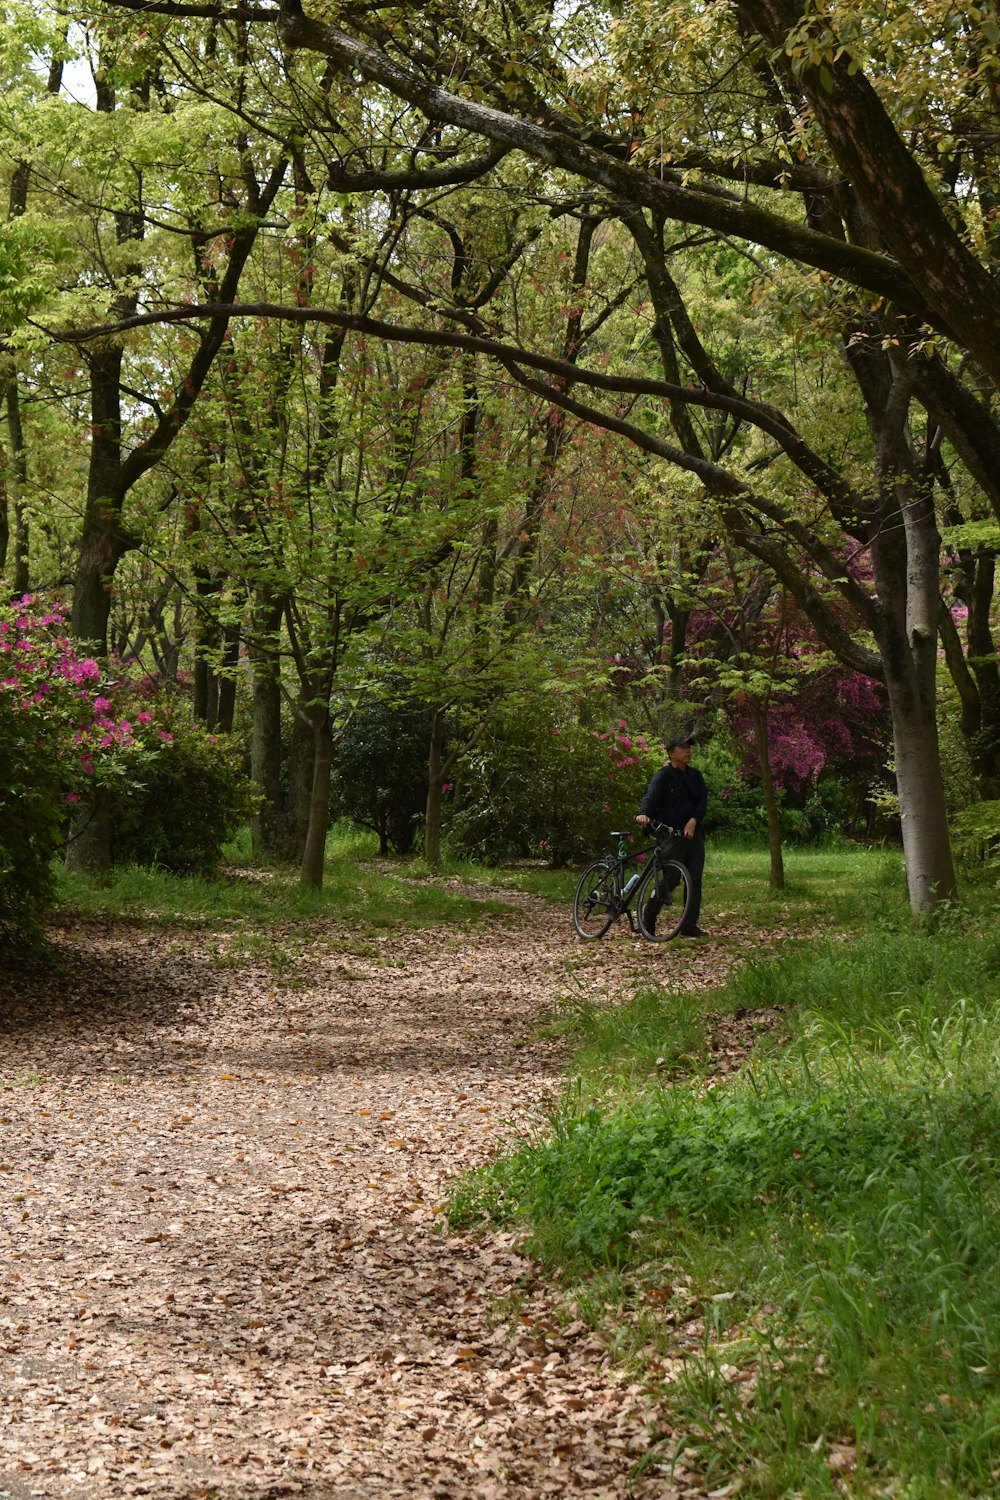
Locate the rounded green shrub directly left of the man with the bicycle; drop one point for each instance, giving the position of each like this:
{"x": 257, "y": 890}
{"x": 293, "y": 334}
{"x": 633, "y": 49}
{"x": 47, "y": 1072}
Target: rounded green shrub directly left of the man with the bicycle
{"x": 542, "y": 785}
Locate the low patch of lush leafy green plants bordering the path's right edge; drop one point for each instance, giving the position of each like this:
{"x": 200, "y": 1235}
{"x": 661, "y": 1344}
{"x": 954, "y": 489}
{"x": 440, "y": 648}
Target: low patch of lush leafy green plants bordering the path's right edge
{"x": 707, "y": 1160}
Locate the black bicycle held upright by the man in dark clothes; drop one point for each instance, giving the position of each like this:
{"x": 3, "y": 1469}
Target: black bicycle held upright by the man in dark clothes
{"x": 621, "y": 884}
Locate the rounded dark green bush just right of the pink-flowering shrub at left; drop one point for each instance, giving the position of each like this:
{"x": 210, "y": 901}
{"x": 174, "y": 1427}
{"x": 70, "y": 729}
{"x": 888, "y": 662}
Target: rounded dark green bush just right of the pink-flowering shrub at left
{"x": 193, "y": 796}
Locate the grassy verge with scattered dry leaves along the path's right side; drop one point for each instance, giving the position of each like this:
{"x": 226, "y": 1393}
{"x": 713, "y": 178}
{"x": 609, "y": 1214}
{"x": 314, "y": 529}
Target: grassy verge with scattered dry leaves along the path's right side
{"x": 804, "y": 1259}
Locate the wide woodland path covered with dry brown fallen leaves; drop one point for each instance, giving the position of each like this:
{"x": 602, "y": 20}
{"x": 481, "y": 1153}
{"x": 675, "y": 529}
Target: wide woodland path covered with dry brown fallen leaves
{"x": 226, "y": 1267}
